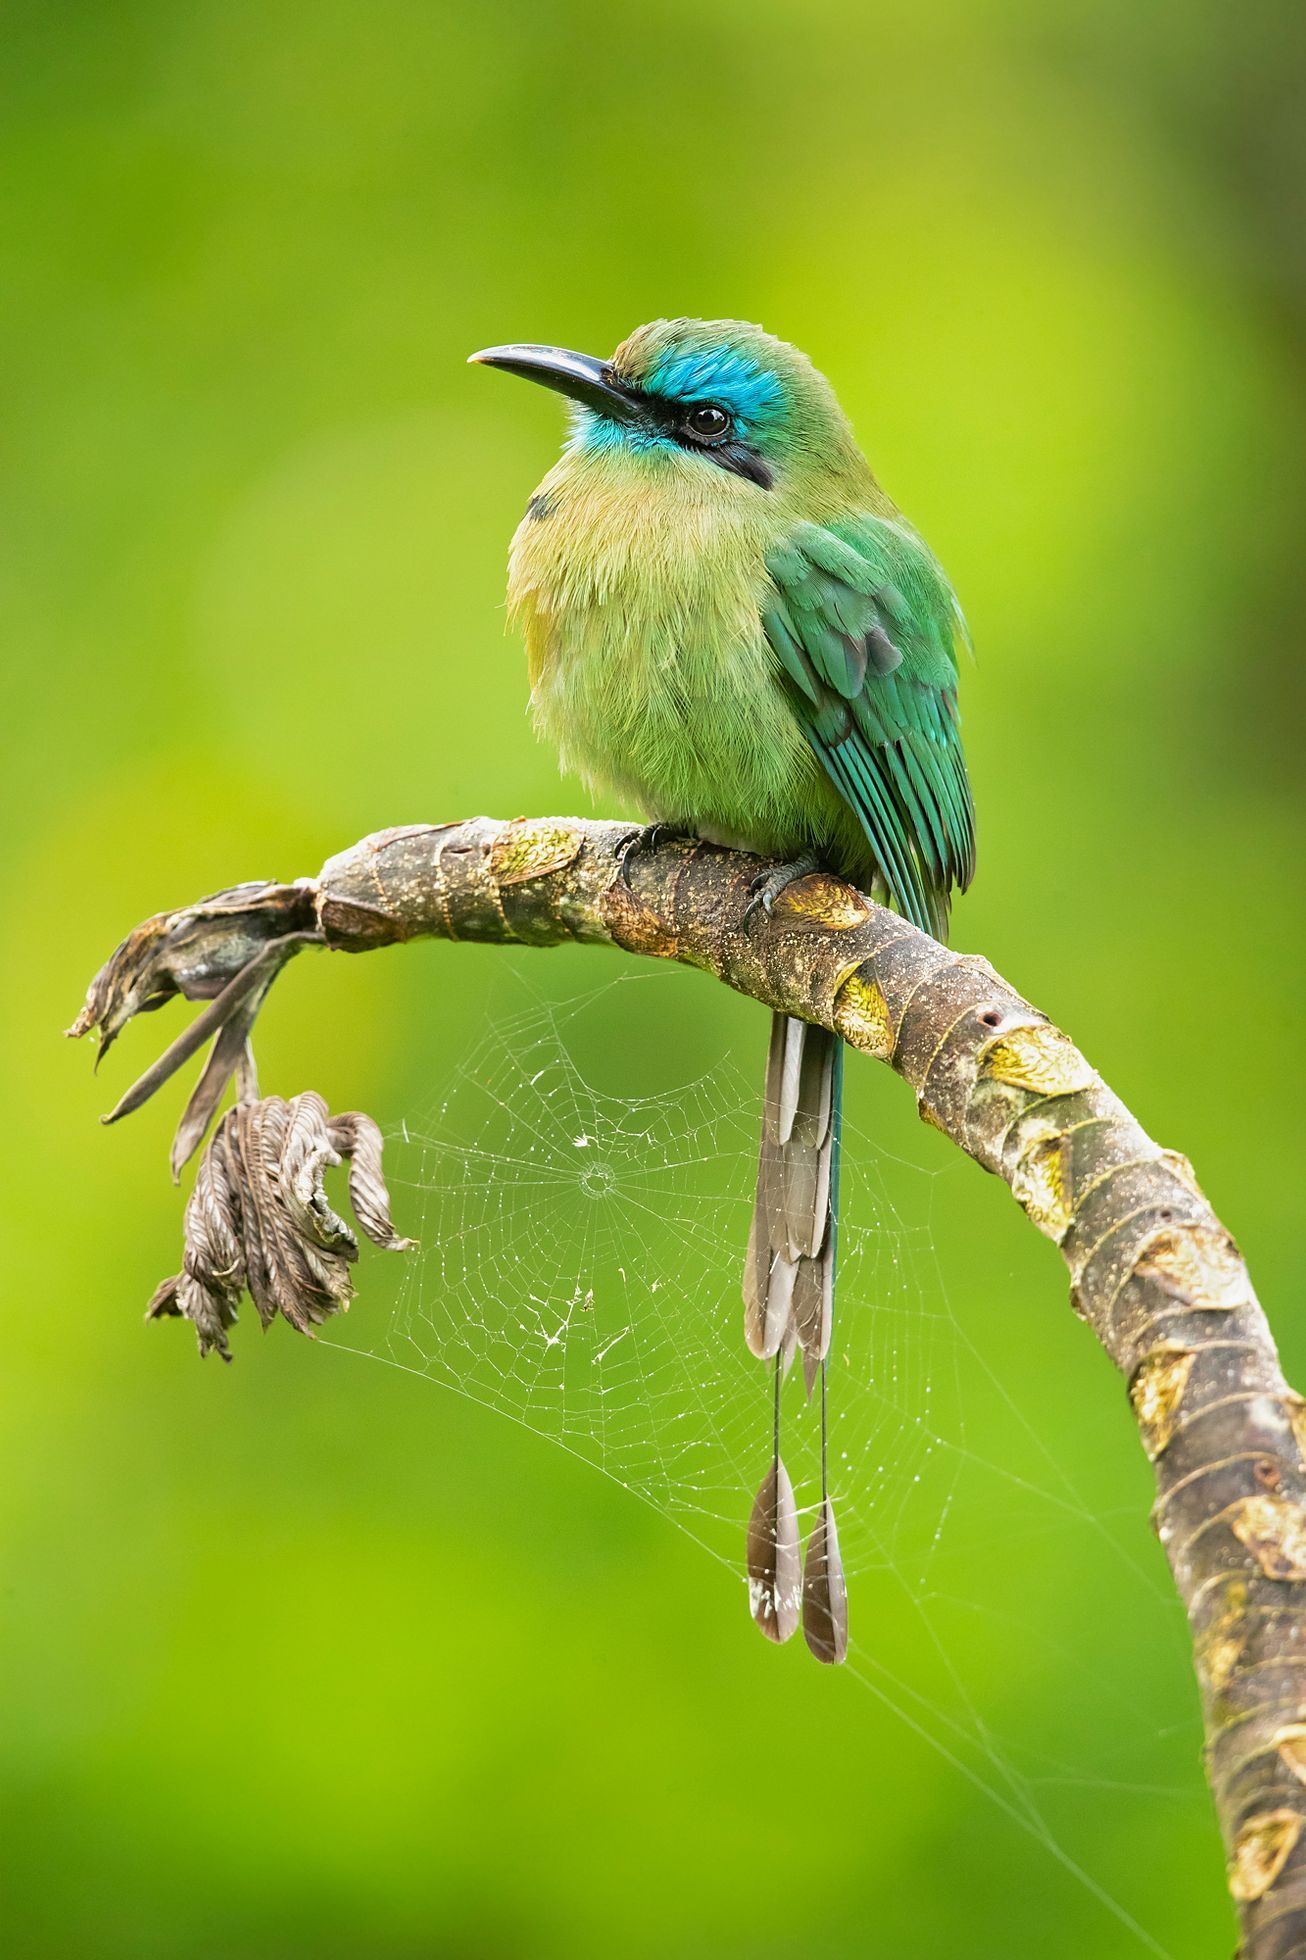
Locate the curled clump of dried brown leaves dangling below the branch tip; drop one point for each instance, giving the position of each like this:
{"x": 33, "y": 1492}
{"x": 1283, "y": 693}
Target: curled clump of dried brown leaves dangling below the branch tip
{"x": 260, "y": 1220}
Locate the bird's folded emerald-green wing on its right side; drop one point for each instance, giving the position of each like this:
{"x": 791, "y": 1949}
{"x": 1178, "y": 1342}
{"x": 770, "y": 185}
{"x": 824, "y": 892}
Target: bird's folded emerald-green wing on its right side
{"x": 866, "y": 628}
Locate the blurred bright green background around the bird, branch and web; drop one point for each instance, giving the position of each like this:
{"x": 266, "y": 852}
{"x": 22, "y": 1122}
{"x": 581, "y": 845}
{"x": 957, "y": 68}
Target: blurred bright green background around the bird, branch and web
{"x": 309, "y": 1657}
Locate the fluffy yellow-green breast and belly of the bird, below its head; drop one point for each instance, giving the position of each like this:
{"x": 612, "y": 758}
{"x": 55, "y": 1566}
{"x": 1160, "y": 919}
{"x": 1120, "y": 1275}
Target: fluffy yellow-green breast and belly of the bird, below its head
{"x": 650, "y": 667}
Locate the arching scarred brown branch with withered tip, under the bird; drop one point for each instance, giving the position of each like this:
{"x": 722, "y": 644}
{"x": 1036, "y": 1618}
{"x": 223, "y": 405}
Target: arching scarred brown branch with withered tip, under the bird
{"x": 1152, "y": 1269}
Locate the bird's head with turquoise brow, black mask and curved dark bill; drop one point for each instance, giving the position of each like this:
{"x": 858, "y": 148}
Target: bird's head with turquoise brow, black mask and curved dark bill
{"x": 719, "y": 393}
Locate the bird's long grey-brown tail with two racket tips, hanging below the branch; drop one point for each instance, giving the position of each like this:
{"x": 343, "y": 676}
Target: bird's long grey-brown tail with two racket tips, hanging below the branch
{"x": 789, "y": 1308}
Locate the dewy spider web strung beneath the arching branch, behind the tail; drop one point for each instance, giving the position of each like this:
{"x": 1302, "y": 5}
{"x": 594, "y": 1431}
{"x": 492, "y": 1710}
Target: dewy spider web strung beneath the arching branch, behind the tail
{"x": 579, "y": 1273}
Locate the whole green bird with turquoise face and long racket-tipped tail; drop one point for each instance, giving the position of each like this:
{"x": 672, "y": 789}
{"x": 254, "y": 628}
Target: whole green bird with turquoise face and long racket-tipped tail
{"x": 730, "y": 626}
